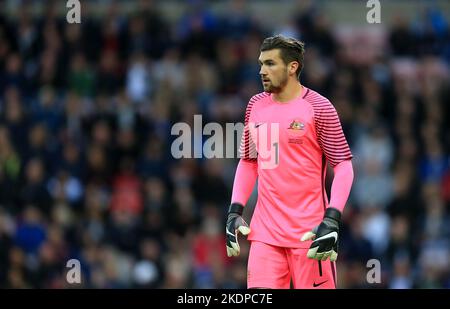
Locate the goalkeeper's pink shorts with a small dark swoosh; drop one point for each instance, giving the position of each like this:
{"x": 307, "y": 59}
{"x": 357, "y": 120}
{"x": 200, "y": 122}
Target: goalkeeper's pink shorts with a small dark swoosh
{"x": 273, "y": 267}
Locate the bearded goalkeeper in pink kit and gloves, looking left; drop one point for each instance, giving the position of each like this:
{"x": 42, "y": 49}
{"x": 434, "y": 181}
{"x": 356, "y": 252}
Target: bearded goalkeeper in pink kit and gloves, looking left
{"x": 291, "y": 132}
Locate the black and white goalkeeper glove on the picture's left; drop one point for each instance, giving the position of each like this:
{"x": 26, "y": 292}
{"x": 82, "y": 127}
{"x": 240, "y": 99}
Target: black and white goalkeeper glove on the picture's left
{"x": 235, "y": 224}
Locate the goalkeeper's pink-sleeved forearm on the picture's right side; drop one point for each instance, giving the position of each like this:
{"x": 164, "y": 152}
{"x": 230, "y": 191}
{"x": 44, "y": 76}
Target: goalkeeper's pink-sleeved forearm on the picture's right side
{"x": 342, "y": 184}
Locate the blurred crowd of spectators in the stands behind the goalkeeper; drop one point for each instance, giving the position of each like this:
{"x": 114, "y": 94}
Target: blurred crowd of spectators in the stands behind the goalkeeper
{"x": 86, "y": 111}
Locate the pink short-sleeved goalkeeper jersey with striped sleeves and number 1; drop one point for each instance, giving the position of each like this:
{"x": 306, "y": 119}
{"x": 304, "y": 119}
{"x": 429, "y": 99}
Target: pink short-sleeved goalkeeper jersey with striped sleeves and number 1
{"x": 291, "y": 194}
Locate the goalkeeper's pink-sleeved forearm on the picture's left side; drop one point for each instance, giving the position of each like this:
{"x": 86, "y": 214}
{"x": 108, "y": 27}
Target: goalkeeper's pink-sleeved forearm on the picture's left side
{"x": 244, "y": 181}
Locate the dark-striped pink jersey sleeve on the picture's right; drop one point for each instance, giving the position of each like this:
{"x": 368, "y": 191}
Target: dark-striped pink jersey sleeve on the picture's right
{"x": 329, "y": 130}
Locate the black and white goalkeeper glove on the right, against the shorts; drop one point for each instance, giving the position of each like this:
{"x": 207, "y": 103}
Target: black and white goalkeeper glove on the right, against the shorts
{"x": 325, "y": 237}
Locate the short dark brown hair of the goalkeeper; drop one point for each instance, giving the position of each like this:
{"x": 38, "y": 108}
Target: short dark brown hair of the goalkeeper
{"x": 290, "y": 49}
